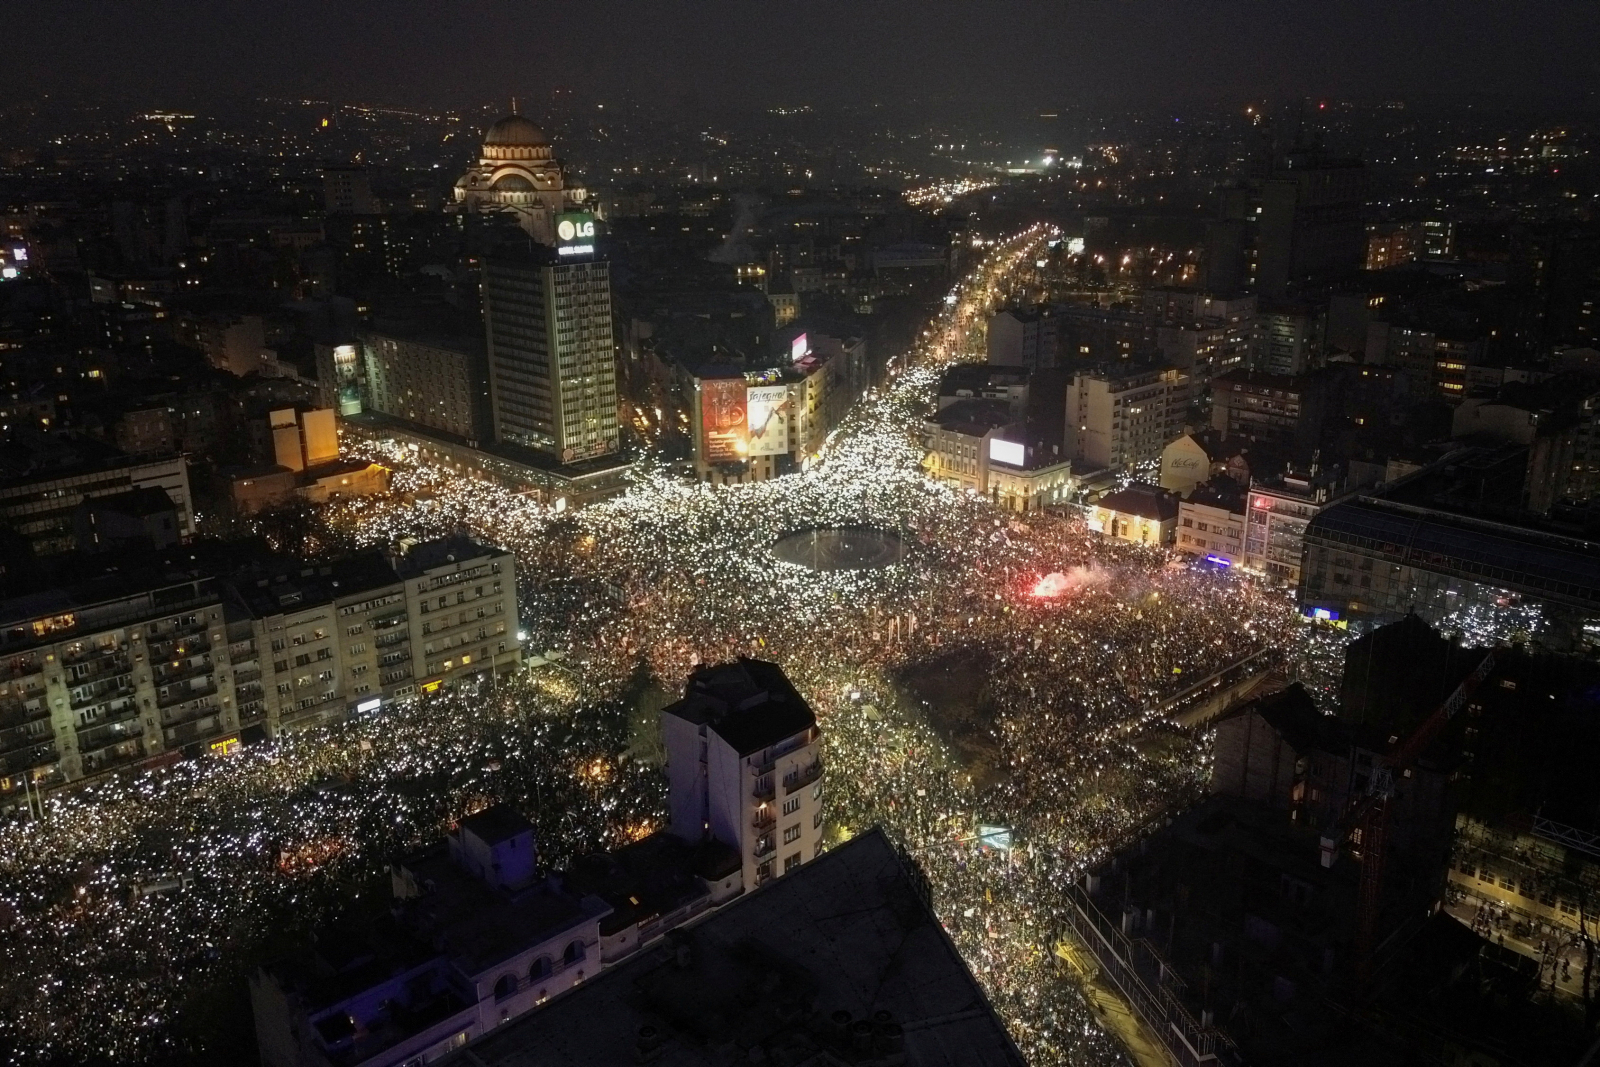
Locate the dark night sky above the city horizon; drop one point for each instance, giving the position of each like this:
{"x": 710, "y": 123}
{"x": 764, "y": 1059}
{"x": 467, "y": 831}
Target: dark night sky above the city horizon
{"x": 823, "y": 52}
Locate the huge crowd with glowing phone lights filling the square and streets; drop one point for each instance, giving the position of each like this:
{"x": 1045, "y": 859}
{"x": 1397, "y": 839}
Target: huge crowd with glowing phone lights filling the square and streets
{"x": 1066, "y": 746}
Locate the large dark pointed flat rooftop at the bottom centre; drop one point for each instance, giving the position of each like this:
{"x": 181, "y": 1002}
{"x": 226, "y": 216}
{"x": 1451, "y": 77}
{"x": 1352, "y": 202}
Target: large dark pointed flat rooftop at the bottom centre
{"x": 836, "y": 959}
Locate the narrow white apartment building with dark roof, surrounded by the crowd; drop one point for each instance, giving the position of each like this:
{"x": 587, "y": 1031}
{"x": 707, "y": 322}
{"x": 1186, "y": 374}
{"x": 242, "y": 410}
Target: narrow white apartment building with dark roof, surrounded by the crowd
{"x": 745, "y": 767}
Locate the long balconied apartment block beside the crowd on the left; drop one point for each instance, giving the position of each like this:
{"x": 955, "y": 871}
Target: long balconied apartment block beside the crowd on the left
{"x": 132, "y": 669}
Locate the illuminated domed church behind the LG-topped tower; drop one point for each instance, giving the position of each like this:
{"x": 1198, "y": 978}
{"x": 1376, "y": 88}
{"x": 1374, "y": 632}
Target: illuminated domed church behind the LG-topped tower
{"x": 518, "y": 172}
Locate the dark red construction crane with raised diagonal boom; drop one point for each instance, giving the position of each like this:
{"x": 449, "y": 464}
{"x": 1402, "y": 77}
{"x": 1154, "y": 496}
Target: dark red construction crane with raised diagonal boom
{"x": 1370, "y": 813}
